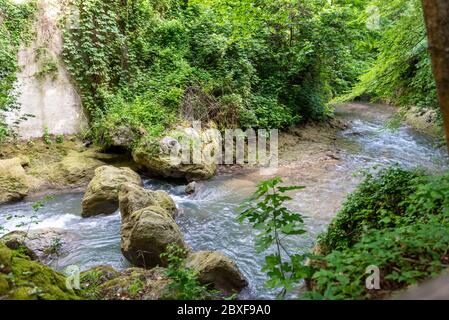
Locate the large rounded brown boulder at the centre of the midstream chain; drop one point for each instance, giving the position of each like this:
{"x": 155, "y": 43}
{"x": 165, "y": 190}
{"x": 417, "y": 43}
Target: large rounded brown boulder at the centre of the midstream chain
{"x": 145, "y": 235}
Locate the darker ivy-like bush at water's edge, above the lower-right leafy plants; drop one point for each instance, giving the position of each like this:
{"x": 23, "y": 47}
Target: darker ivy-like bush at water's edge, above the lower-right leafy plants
{"x": 379, "y": 202}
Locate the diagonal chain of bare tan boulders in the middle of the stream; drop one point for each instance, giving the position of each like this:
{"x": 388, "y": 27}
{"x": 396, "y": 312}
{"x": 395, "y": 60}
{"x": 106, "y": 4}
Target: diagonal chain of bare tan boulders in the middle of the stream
{"x": 149, "y": 227}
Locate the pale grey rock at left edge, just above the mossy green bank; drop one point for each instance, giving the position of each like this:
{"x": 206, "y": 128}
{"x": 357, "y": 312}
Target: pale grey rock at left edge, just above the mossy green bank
{"x": 44, "y": 245}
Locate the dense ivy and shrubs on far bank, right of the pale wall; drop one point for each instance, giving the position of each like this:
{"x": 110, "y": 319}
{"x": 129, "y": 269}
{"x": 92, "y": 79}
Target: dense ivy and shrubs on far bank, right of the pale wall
{"x": 148, "y": 65}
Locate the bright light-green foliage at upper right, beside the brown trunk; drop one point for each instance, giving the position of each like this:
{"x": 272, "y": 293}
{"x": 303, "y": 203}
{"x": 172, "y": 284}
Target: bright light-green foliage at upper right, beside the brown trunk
{"x": 401, "y": 72}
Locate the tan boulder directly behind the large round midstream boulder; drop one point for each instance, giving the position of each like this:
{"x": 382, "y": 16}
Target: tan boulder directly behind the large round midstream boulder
{"x": 133, "y": 198}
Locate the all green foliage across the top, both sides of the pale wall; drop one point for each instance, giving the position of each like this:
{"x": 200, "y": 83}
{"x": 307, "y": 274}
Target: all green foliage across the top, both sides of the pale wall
{"x": 261, "y": 64}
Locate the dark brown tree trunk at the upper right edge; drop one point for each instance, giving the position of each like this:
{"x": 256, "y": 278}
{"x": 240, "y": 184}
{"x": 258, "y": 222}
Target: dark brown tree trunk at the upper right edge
{"x": 436, "y": 13}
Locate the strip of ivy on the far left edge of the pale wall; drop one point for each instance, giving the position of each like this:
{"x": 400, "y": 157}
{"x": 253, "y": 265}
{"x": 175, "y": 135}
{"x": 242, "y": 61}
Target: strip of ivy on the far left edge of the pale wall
{"x": 14, "y": 30}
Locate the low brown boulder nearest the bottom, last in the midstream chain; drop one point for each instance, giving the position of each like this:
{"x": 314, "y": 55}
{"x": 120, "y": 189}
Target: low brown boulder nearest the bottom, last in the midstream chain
{"x": 217, "y": 270}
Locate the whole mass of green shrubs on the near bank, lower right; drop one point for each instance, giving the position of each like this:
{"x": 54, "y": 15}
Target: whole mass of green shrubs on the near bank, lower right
{"x": 397, "y": 220}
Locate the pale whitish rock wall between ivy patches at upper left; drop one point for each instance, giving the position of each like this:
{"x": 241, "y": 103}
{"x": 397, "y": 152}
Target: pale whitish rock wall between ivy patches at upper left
{"x": 44, "y": 88}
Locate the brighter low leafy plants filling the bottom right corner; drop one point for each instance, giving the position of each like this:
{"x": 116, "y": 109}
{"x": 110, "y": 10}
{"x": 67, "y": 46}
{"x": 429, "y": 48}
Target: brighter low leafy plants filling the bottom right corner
{"x": 405, "y": 255}
